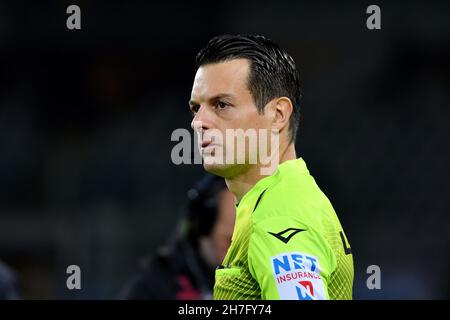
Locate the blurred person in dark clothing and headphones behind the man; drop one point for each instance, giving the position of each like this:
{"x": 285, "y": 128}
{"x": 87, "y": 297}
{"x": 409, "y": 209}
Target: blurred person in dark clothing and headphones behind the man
{"x": 183, "y": 269}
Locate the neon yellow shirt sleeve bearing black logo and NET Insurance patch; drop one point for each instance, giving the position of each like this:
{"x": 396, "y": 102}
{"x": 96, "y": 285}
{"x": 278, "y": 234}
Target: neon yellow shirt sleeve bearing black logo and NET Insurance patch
{"x": 290, "y": 260}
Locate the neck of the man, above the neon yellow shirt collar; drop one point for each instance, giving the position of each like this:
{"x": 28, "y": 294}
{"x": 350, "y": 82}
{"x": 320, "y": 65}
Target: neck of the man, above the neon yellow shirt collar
{"x": 242, "y": 183}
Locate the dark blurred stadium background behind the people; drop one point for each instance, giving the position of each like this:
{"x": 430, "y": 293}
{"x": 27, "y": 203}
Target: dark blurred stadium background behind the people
{"x": 86, "y": 116}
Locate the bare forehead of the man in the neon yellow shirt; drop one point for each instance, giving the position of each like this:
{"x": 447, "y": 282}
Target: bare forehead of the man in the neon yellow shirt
{"x": 222, "y": 77}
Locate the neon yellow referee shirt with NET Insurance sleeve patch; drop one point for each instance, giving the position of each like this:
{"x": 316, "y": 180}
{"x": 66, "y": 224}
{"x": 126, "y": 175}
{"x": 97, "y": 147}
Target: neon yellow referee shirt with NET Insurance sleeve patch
{"x": 287, "y": 243}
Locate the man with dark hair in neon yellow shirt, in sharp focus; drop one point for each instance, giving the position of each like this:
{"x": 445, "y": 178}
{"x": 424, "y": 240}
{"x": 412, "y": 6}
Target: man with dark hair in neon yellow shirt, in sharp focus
{"x": 288, "y": 242}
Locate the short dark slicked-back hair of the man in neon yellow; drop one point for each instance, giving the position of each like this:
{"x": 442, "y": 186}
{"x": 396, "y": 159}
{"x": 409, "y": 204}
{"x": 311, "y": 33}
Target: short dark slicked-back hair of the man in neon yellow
{"x": 272, "y": 70}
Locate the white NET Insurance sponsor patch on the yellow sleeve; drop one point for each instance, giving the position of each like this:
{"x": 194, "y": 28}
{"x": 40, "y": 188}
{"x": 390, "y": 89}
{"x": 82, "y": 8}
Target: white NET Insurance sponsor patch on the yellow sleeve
{"x": 297, "y": 276}
